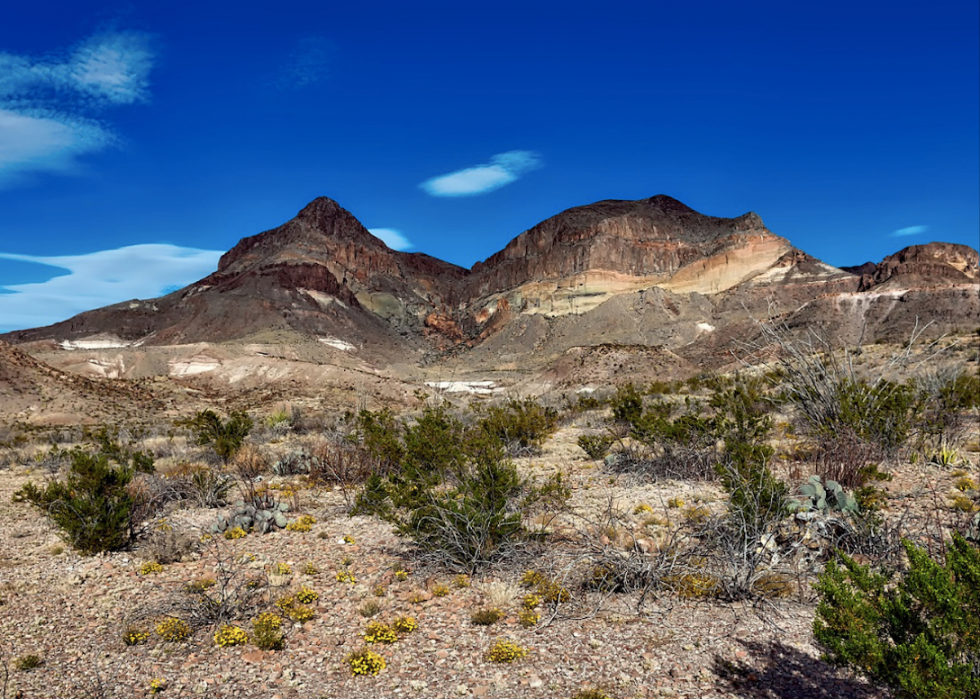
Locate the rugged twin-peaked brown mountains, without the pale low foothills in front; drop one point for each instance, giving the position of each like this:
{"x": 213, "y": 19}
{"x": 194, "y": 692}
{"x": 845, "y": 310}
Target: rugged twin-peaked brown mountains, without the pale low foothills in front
{"x": 323, "y": 275}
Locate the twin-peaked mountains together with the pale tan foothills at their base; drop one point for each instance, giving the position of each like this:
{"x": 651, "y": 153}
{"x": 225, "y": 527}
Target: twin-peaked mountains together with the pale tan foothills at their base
{"x": 319, "y": 308}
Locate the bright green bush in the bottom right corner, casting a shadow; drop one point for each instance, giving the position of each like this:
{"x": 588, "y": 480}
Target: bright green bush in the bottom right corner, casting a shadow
{"x": 917, "y": 634}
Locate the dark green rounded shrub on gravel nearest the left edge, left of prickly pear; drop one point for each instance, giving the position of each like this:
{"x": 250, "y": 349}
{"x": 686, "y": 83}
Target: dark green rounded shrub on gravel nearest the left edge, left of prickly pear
{"x": 92, "y": 505}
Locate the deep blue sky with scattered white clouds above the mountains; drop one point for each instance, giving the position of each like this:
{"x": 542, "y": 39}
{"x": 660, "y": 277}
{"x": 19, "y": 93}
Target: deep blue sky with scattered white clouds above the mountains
{"x": 138, "y": 141}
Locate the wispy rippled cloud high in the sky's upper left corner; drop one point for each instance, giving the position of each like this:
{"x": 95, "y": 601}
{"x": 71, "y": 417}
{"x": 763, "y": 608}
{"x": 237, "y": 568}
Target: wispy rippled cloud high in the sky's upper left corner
{"x": 48, "y": 106}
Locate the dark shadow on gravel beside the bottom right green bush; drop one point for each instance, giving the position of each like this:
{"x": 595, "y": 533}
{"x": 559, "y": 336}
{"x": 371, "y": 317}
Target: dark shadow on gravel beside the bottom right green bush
{"x": 777, "y": 671}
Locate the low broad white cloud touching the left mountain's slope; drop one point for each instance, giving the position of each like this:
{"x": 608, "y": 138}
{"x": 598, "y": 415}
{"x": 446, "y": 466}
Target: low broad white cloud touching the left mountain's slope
{"x": 99, "y": 279}
